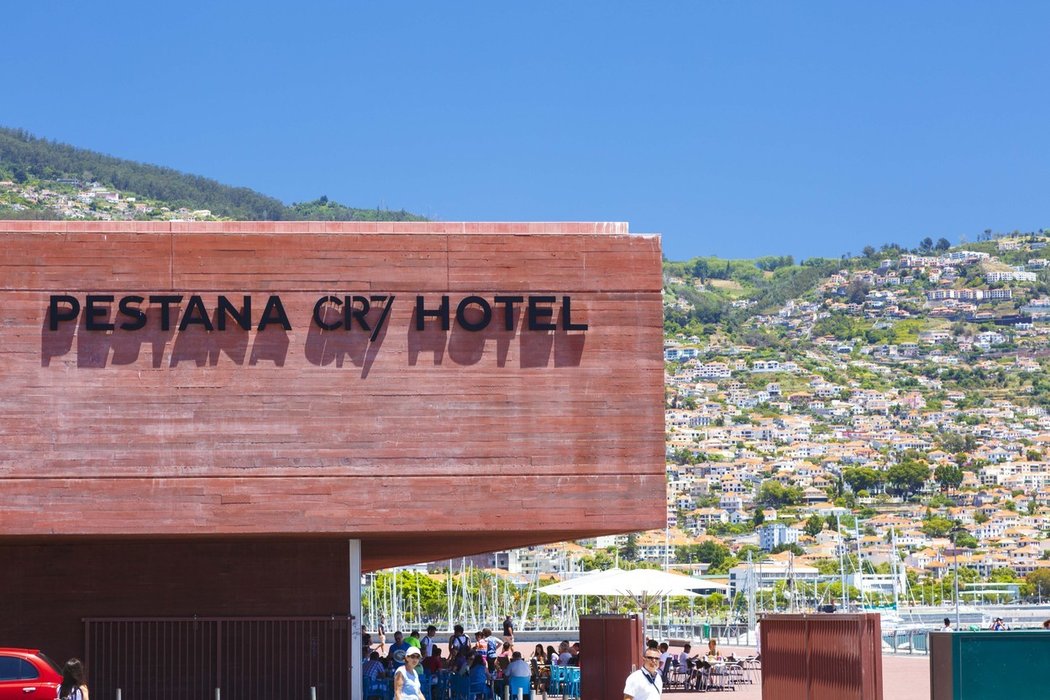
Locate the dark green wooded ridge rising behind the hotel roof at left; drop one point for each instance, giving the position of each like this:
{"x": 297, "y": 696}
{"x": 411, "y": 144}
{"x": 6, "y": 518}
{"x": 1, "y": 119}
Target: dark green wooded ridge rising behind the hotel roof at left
{"x": 26, "y": 158}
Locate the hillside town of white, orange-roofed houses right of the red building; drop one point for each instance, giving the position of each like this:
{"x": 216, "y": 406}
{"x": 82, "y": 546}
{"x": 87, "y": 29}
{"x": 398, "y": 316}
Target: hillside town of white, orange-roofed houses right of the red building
{"x": 896, "y": 417}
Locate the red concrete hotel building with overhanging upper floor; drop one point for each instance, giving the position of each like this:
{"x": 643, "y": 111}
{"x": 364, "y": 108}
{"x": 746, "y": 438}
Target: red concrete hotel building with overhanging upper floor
{"x": 236, "y": 419}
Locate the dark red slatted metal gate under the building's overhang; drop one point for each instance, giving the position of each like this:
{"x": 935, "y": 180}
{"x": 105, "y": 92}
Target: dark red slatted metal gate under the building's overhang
{"x": 258, "y": 659}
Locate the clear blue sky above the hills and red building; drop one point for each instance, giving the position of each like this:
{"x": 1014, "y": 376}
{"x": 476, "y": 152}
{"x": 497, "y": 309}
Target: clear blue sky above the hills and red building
{"x": 732, "y": 129}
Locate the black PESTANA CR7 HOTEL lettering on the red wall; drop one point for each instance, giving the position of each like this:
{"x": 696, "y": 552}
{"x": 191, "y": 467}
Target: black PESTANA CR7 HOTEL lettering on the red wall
{"x": 106, "y": 312}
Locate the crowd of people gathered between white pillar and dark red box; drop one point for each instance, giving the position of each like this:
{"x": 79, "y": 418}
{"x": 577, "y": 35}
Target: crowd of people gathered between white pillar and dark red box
{"x": 485, "y": 659}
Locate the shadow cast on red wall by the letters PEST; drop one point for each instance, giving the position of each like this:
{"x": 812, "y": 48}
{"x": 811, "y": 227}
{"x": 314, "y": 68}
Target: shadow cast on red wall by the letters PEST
{"x": 96, "y": 350}
